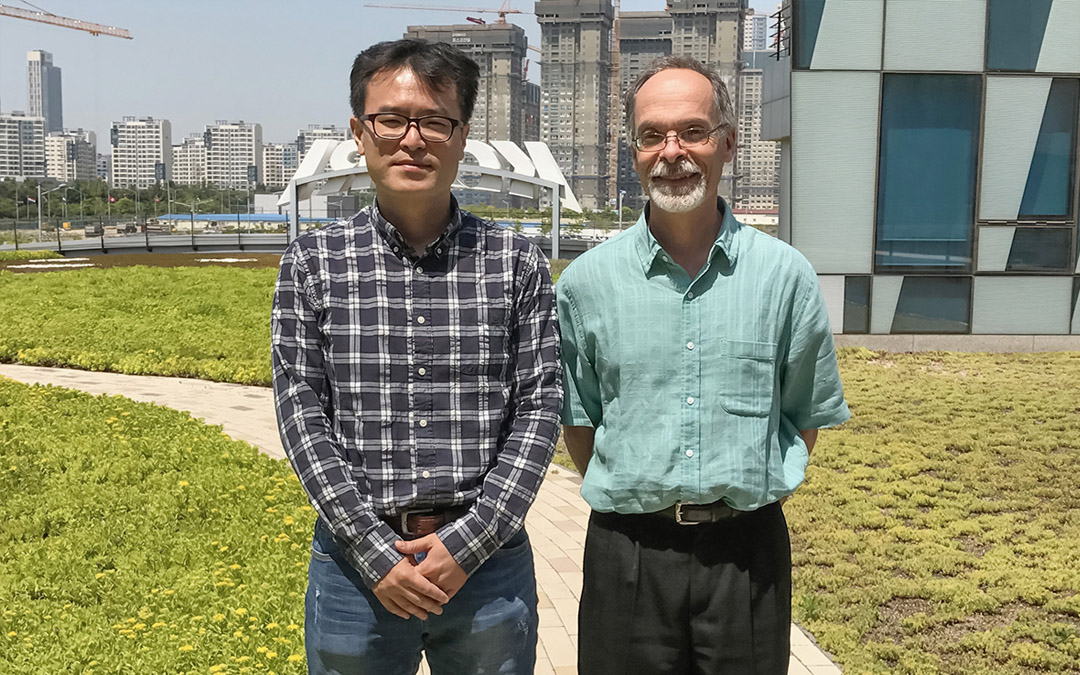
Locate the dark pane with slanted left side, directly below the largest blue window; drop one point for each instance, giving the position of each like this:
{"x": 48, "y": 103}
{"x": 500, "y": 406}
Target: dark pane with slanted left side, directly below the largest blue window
{"x": 934, "y": 305}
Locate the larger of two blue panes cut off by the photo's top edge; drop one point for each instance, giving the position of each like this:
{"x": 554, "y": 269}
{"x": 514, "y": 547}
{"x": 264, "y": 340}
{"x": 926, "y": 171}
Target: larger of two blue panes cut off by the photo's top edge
{"x": 1017, "y": 29}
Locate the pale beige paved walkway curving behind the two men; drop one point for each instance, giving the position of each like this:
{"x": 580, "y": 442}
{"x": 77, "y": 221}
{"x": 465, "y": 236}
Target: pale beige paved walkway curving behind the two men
{"x": 557, "y": 523}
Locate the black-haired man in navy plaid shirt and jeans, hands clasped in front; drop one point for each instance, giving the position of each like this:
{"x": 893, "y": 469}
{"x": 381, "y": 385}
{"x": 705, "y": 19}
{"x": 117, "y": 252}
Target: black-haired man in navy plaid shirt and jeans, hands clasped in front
{"x": 417, "y": 384}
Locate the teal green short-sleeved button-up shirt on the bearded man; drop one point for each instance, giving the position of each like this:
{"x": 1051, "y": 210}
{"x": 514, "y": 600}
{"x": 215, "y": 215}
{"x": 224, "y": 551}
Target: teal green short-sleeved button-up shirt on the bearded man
{"x": 697, "y": 388}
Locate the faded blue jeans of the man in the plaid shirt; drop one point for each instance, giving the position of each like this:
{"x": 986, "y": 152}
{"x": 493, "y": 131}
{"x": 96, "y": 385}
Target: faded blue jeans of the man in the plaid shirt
{"x": 490, "y": 627}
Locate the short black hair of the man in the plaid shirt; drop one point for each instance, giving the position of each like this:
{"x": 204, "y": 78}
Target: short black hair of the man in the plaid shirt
{"x": 437, "y": 64}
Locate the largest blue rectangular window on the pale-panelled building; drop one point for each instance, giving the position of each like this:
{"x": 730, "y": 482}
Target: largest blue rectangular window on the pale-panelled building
{"x": 927, "y": 170}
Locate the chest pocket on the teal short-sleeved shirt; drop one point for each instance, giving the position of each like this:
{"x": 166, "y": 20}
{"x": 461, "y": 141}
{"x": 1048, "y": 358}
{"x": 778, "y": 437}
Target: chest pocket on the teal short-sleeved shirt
{"x": 748, "y": 377}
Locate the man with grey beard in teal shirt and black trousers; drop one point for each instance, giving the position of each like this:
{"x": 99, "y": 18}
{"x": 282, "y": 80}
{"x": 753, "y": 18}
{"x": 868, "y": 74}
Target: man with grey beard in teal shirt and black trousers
{"x": 699, "y": 364}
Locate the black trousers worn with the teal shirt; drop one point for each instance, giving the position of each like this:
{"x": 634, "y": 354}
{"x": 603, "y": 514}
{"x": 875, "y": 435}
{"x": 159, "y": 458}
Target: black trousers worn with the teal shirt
{"x": 660, "y": 598}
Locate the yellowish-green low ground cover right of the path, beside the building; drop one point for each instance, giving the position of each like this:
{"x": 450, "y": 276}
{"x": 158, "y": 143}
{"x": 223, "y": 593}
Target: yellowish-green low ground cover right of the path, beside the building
{"x": 939, "y": 531}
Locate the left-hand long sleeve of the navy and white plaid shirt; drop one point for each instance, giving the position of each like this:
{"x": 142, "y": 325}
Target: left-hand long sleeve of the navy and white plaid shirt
{"x": 302, "y": 401}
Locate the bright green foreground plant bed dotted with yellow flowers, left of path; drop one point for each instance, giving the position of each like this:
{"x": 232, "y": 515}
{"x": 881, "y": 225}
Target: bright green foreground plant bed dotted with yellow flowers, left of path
{"x": 138, "y": 541}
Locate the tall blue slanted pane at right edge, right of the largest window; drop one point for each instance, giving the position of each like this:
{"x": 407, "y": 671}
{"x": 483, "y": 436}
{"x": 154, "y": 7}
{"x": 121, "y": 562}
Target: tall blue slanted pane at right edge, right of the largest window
{"x": 1049, "y": 191}
